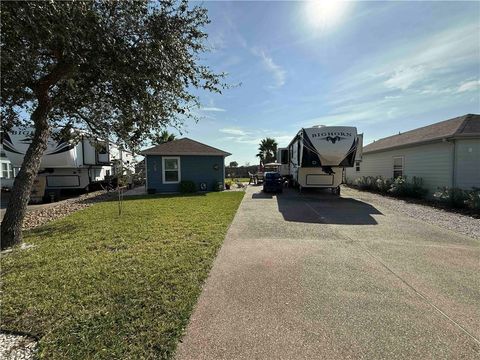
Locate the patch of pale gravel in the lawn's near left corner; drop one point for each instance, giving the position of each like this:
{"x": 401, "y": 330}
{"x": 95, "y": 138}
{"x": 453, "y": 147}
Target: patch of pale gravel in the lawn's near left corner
{"x": 17, "y": 347}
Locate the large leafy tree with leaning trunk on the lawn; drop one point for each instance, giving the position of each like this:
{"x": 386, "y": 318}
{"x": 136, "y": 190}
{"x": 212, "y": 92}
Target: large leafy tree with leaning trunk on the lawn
{"x": 119, "y": 69}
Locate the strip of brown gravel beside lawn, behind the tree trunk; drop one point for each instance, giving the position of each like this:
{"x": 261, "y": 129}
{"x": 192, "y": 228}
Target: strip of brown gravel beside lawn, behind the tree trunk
{"x": 35, "y": 218}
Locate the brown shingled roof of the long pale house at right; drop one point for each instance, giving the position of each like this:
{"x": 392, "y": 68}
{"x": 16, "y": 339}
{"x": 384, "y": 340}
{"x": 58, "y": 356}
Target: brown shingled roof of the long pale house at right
{"x": 462, "y": 126}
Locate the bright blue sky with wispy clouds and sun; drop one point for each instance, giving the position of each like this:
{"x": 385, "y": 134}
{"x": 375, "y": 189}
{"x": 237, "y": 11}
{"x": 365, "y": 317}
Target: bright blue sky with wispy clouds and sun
{"x": 384, "y": 67}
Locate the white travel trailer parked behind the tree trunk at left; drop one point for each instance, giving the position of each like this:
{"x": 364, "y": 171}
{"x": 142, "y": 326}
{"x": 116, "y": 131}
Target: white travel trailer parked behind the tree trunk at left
{"x": 73, "y": 163}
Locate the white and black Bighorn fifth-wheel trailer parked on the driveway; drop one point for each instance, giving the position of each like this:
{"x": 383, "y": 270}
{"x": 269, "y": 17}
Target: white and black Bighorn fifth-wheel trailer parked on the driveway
{"x": 319, "y": 155}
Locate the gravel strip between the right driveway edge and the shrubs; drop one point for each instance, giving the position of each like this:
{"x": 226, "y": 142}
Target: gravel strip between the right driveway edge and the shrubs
{"x": 459, "y": 223}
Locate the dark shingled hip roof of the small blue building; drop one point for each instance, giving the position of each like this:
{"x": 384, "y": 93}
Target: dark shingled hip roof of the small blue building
{"x": 184, "y": 146}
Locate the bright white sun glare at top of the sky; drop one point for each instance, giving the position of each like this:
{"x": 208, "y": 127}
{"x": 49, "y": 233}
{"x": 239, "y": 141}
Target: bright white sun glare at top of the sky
{"x": 324, "y": 14}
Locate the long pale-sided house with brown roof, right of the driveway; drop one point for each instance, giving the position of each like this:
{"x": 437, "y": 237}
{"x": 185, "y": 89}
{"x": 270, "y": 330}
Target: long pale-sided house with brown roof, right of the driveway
{"x": 443, "y": 154}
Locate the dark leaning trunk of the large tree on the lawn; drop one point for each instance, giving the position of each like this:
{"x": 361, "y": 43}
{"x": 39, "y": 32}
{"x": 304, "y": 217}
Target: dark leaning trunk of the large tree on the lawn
{"x": 17, "y": 206}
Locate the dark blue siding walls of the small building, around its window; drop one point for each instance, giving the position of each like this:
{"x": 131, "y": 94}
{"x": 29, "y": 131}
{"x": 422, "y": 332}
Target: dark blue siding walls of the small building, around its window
{"x": 192, "y": 168}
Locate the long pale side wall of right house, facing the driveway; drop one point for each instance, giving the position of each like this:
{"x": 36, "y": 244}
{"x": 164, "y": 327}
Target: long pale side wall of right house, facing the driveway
{"x": 432, "y": 162}
